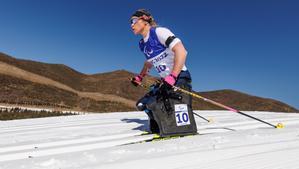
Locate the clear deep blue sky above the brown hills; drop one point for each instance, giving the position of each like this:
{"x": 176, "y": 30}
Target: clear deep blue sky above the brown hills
{"x": 251, "y": 45}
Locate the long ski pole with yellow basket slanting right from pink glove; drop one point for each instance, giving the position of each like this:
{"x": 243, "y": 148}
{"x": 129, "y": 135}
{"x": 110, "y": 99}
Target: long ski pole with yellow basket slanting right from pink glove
{"x": 279, "y": 125}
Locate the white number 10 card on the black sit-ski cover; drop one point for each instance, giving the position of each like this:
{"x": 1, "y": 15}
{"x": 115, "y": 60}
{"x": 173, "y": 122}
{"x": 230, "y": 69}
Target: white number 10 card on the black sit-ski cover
{"x": 181, "y": 114}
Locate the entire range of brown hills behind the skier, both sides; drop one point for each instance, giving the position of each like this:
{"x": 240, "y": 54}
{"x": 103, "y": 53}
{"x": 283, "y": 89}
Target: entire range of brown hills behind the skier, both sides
{"x": 56, "y": 85}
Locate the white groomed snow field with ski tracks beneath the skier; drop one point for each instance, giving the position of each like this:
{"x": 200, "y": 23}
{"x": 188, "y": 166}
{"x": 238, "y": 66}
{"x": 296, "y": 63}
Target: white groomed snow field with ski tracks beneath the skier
{"x": 100, "y": 141}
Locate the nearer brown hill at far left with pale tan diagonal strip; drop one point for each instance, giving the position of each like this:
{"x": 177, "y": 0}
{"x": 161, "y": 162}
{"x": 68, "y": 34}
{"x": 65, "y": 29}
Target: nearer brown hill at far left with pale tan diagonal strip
{"x": 54, "y": 79}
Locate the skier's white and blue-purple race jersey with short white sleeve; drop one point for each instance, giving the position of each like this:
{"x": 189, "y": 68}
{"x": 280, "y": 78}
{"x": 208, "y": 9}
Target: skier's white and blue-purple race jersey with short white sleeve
{"x": 156, "y": 52}
